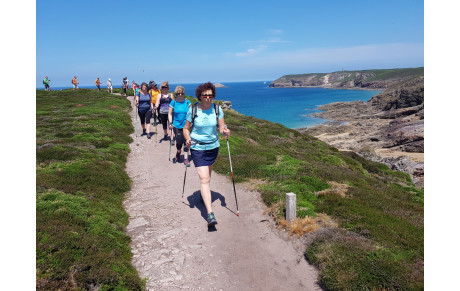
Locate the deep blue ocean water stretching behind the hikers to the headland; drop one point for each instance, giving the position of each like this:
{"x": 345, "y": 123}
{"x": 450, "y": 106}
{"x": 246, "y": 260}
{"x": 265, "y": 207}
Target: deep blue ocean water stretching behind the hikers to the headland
{"x": 287, "y": 106}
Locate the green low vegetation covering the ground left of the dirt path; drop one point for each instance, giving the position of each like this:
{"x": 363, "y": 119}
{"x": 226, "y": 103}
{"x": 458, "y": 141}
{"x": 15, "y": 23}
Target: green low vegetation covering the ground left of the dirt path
{"x": 81, "y": 182}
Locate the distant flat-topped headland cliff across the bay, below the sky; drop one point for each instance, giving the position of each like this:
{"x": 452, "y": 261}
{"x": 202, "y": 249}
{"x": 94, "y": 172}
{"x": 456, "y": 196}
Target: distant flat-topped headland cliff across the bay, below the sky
{"x": 367, "y": 79}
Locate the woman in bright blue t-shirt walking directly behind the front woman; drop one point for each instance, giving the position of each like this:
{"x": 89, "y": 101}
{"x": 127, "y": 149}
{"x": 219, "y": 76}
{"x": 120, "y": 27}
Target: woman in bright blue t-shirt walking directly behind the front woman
{"x": 178, "y": 109}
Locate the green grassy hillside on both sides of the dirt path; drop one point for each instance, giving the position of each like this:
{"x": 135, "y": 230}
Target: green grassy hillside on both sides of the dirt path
{"x": 374, "y": 239}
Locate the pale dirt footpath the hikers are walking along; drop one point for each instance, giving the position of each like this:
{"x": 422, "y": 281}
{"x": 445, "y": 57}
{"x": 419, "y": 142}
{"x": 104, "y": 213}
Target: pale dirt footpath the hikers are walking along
{"x": 172, "y": 246}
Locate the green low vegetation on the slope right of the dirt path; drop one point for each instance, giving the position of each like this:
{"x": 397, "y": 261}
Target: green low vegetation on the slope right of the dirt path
{"x": 379, "y": 242}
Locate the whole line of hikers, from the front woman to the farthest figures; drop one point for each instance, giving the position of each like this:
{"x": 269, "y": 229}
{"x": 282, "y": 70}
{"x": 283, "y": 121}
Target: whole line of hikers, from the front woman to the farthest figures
{"x": 192, "y": 127}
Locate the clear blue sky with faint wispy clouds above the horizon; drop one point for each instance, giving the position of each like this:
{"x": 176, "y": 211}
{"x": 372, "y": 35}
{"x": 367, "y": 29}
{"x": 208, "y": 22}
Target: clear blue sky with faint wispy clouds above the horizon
{"x": 218, "y": 41}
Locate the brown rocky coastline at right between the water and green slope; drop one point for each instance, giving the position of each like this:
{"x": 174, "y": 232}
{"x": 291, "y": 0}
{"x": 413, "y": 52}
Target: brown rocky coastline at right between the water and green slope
{"x": 389, "y": 128}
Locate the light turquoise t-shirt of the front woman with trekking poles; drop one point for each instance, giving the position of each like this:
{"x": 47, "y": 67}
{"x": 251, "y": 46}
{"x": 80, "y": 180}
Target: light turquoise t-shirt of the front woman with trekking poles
{"x": 205, "y": 130}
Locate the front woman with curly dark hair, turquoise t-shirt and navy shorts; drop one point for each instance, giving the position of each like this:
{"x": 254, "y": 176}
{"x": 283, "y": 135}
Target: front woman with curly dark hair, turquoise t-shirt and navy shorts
{"x": 203, "y": 140}
